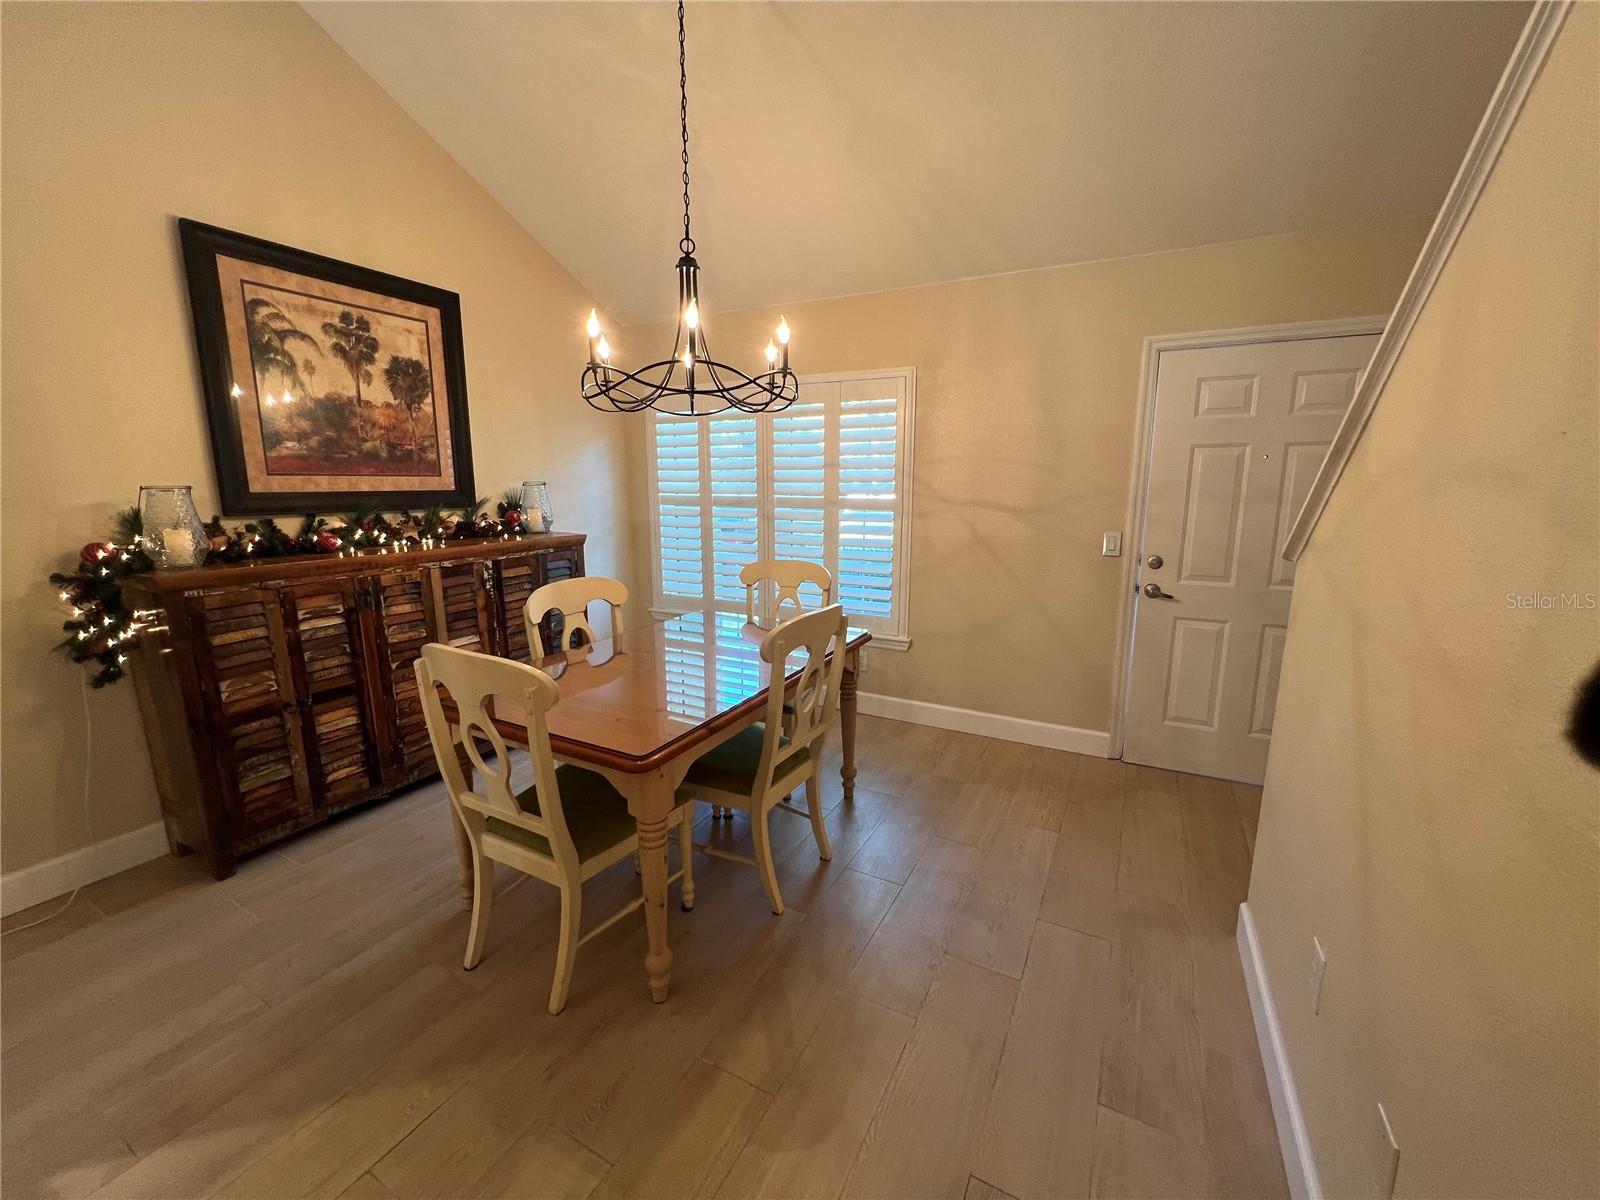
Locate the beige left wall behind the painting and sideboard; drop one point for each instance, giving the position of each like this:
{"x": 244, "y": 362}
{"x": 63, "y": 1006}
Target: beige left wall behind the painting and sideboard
{"x": 119, "y": 119}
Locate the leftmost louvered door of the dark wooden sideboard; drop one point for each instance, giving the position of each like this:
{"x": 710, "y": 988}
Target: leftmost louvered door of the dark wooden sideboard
{"x": 252, "y": 711}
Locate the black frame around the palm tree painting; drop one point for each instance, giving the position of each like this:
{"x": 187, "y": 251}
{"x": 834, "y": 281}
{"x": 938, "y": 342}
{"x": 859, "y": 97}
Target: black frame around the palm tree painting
{"x": 202, "y": 246}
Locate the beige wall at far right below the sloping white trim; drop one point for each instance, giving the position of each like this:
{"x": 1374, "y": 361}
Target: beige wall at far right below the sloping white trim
{"x": 1423, "y": 815}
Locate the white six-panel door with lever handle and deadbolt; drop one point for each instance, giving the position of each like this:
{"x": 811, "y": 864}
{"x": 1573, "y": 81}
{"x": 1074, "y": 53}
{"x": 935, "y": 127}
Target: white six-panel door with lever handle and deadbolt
{"x": 1239, "y": 433}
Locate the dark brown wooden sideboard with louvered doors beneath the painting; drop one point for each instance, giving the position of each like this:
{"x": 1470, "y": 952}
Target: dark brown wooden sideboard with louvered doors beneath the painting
{"x": 281, "y": 694}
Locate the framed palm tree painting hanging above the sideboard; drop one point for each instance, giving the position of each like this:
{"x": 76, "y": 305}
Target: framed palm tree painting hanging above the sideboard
{"x": 327, "y": 386}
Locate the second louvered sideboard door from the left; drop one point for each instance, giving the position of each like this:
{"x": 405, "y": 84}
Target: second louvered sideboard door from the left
{"x": 330, "y": 674}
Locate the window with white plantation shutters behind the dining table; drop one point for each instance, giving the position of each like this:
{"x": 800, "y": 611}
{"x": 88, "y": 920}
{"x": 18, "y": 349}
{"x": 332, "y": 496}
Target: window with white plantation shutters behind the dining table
{"x": 825, "y": 481}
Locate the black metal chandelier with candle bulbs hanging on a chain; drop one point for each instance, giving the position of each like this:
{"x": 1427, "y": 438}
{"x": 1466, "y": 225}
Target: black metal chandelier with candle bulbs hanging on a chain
{"x": 690, "y": 382}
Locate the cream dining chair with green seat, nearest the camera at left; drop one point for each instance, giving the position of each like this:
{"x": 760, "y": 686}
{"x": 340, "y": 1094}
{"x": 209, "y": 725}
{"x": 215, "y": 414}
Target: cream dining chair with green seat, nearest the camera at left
{"x": 570, "y": 826}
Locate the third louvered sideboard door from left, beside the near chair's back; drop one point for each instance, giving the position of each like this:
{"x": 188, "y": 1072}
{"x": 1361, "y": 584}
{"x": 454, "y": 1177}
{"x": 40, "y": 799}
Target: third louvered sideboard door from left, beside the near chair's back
{"x": 404, "y": 622}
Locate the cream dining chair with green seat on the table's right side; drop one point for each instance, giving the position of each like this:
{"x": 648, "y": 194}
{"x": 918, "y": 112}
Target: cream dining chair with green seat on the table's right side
{"x": 759, "y": 767}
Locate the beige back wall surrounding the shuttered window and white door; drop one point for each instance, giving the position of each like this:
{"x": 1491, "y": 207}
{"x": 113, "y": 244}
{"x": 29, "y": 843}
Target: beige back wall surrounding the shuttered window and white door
{"x": 1026, "y": 399}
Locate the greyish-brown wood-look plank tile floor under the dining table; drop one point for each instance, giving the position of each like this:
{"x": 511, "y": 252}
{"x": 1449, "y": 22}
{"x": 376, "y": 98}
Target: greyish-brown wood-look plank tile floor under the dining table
{"x": 1017, "y": 978}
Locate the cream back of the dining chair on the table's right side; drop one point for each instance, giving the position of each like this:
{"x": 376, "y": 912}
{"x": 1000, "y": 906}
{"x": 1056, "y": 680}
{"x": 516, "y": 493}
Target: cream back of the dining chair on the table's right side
{"x": 817, "y": 636}
